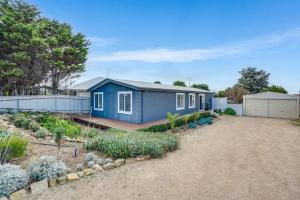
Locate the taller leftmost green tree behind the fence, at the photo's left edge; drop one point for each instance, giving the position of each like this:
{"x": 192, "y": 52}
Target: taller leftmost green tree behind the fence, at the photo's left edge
{"x": 21, "y": 48}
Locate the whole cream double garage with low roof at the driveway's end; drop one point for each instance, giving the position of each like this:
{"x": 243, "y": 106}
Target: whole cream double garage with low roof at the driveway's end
{"x": 271, "y": 104}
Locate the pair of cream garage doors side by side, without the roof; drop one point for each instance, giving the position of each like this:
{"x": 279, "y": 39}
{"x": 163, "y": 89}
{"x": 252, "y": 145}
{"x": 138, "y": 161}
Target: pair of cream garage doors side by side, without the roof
{"x": 276, "y": 108}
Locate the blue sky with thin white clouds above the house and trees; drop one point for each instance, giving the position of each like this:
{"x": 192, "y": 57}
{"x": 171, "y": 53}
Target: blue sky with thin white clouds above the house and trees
{"x": 195, "y": 41}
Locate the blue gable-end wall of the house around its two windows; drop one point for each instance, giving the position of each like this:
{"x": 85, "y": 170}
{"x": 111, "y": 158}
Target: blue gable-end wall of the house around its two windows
{"x": 110, "y": 100}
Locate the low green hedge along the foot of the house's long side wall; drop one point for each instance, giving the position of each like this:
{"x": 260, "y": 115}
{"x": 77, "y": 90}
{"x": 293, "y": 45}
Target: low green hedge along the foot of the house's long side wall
{"x": 179, "y": 122}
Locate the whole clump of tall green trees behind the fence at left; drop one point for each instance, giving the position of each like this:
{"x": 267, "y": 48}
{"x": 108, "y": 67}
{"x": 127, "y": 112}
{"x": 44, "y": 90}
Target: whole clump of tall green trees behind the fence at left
{"x": 34, "y": 48}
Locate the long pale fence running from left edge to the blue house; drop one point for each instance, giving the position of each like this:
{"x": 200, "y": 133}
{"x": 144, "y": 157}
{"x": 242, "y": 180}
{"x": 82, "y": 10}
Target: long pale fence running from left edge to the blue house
{"x": 43, "y": 103}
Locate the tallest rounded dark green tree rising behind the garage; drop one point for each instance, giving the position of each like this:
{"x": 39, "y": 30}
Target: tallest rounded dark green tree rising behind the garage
{"x": 253, "y": 80}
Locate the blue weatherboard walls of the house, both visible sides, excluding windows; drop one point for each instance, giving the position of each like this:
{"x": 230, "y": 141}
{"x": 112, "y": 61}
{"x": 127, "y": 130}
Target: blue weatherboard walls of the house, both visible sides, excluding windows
{"x": 146, "y": 105}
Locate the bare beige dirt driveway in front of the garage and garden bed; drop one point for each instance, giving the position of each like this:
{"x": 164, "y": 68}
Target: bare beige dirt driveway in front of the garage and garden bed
{"x": 236, "y": 158}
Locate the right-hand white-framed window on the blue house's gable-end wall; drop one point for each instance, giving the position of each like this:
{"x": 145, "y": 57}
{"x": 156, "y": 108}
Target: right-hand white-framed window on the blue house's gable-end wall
{"x": 125, "y": 102}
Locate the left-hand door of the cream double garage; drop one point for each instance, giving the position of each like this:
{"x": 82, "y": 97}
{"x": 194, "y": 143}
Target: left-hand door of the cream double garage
{"x": 256, "y": 107}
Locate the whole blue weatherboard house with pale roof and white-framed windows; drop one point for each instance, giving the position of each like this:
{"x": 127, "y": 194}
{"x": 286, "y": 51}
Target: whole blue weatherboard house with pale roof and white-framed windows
{"x": 141, "y": 102}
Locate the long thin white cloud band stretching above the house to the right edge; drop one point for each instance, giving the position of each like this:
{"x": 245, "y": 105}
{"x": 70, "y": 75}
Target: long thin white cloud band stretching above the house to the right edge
{"x": 189, "y": 55}
